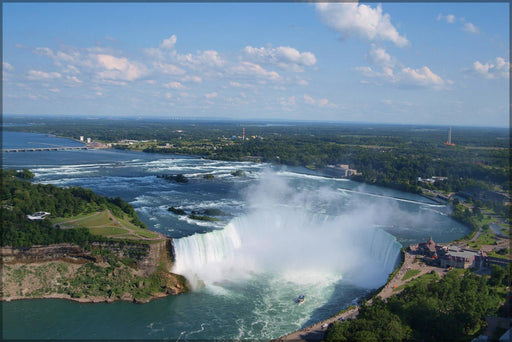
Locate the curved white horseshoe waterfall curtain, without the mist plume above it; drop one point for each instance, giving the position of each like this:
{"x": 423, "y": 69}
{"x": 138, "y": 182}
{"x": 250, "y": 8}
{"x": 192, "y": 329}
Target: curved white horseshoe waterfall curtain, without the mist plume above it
{"x": 284, "y": 243}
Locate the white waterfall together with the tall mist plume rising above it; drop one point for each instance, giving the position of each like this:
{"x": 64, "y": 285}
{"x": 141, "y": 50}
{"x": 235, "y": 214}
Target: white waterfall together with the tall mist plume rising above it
{"x": 292, "y": 239}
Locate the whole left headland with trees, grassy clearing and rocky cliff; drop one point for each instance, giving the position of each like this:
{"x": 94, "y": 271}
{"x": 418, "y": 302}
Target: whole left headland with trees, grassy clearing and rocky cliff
{"x": 90, "y": 249}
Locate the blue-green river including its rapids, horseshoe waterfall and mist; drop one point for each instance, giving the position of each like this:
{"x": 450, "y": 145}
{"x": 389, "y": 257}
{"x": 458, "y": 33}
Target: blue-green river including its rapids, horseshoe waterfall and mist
{"x": 288, "y": 231}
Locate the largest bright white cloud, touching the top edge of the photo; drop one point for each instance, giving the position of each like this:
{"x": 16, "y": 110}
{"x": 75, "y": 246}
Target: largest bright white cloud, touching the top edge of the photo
{"x": 353, "y": 19}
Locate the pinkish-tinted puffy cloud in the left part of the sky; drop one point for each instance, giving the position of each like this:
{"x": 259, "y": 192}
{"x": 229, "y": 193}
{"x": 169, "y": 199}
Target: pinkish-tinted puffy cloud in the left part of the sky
{"x": 116, "y": 68}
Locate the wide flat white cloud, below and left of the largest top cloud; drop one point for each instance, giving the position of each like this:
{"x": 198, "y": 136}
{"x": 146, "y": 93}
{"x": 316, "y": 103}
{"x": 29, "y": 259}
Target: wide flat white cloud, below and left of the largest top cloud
{"x": 283, "y": 56}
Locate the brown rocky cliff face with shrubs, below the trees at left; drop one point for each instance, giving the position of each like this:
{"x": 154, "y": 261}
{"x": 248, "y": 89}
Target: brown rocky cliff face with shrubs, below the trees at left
{"x": 103, "y": 274}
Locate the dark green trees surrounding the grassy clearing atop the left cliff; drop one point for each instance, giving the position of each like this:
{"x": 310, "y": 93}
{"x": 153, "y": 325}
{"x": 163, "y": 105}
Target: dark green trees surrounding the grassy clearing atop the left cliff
{"x": 21, "y": 198}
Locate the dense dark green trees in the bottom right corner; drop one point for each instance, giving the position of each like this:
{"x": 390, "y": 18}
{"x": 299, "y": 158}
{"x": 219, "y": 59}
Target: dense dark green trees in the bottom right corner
{"x": 451, "y": 309}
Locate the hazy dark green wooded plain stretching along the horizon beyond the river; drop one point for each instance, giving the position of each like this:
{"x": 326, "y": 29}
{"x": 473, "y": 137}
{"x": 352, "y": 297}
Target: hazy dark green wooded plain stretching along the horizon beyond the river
{"x": 389, "y": 155}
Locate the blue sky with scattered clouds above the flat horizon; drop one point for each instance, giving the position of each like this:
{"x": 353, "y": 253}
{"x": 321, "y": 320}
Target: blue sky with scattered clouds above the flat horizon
{"x": 428, "y": 63}
